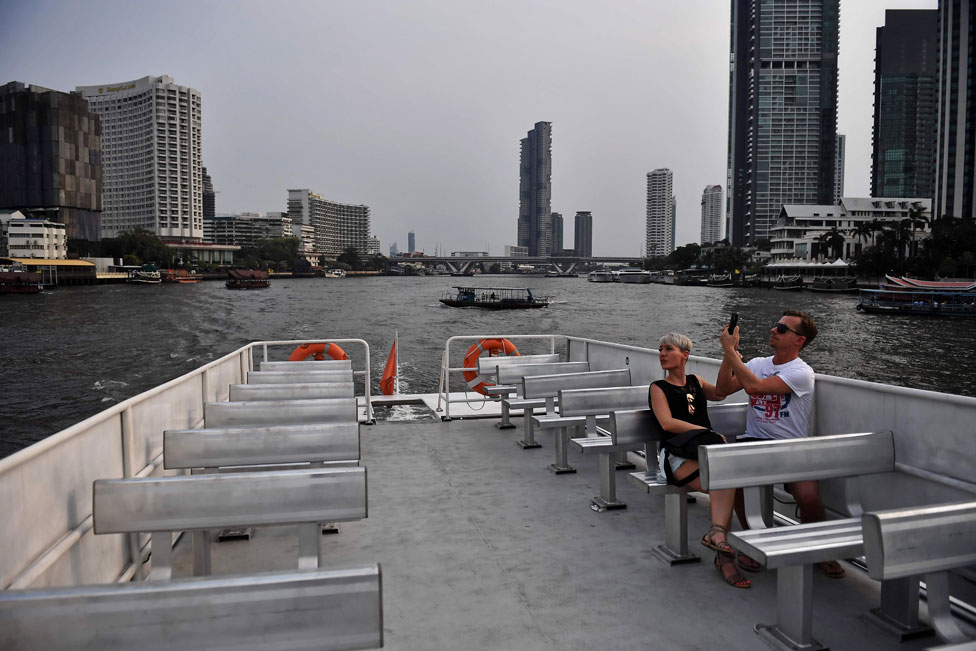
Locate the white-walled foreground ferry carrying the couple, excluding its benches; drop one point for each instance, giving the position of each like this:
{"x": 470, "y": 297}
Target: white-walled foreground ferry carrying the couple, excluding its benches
{"x": 481, "y": 547}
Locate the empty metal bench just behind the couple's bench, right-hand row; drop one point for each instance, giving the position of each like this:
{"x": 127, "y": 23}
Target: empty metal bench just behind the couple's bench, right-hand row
{"x": 579, "y": 409}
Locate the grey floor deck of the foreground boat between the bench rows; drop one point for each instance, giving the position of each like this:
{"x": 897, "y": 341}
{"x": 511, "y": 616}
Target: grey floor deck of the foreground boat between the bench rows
{"x": 482, "y": 548}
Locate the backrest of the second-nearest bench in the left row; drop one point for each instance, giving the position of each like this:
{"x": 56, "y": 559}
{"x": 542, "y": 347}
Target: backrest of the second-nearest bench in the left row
{"x": 217, "y": 501}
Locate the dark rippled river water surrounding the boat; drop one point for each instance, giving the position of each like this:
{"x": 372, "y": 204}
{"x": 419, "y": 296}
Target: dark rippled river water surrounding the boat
{"x": 69, "y": 353}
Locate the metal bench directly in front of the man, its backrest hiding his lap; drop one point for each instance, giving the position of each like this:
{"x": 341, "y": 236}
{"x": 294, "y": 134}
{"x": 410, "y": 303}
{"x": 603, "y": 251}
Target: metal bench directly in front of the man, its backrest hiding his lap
{"x": 756, "y": 467}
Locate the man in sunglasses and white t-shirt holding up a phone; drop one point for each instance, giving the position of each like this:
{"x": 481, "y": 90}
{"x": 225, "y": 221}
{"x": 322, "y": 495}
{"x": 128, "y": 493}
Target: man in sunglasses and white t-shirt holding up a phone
{"x": 780, "y": 391}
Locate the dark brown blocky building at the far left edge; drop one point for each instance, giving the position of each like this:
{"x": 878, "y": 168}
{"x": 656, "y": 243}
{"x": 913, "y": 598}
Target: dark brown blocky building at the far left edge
{"x": 50, "y": 158}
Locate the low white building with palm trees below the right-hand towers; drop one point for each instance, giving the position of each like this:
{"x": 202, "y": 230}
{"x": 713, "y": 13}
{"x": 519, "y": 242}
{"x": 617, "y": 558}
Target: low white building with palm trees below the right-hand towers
{"x": 795, "y": 235}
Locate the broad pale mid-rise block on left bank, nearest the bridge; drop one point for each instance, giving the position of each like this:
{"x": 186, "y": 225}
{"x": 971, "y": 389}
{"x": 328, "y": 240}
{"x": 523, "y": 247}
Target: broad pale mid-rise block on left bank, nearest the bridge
{"x": 338, "y": 226}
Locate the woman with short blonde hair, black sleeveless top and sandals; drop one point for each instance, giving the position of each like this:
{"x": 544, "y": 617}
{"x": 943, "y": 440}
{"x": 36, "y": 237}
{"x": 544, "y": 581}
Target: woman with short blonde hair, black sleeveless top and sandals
{"x": 679, "y": 403}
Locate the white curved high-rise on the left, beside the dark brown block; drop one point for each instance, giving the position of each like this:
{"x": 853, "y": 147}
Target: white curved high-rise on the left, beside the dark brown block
{"x": 151, "y": 158}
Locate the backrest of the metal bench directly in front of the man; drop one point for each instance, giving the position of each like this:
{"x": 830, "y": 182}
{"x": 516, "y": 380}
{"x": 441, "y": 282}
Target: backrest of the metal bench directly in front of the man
{"x": 766, "y": 463}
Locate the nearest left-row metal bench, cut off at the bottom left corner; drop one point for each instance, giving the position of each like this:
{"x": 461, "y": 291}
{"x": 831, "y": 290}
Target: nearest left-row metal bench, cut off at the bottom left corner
{"x": 320, "y": 609}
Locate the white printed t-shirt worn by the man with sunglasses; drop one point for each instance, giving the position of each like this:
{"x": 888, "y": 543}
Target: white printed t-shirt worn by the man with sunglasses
{"x": 781, "y": 416}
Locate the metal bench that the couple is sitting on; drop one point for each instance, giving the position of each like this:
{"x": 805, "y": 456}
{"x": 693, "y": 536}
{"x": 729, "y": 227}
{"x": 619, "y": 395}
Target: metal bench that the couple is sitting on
{"x": 637, "y": 429}
